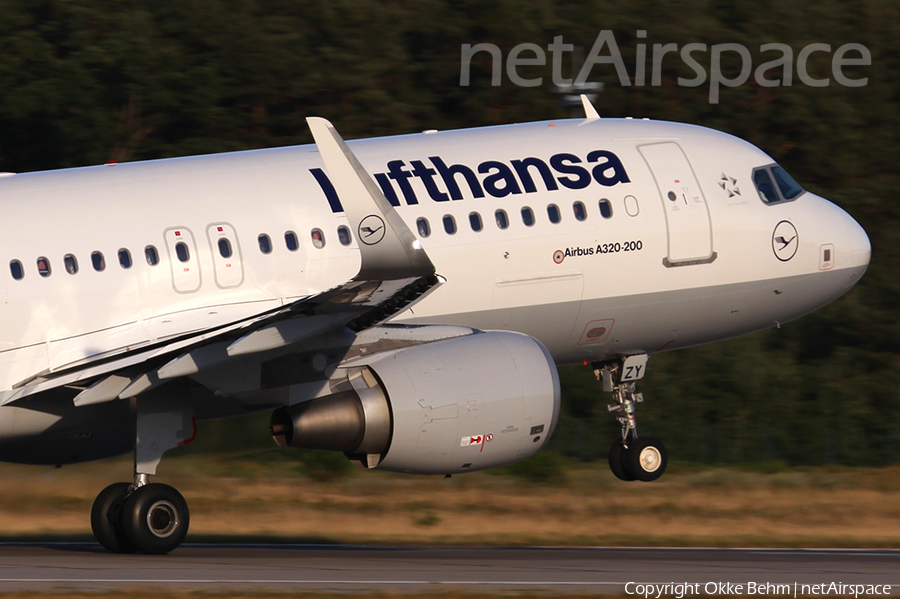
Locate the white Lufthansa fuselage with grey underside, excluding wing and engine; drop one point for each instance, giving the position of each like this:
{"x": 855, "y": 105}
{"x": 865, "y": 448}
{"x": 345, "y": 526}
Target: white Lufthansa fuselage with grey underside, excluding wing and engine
{"x": 645, "y": 274}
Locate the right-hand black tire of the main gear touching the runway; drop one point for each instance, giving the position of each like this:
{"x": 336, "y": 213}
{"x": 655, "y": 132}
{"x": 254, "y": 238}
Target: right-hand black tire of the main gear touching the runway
{"x": 155, "y": 518}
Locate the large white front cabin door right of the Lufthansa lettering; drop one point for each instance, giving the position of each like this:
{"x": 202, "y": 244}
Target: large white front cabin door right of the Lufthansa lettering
{"x": 687, "y": 214}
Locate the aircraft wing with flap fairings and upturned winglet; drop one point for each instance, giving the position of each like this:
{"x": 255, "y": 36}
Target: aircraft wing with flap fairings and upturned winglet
{"x": 395, "y": 272}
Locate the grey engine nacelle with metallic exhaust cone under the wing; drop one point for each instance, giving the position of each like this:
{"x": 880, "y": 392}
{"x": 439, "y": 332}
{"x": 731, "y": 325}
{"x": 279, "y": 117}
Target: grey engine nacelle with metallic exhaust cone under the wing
{"x": 458, "y": 405}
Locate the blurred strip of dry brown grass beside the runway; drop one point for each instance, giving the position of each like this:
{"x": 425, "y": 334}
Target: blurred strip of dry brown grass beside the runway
{"x": 243, "y": 498}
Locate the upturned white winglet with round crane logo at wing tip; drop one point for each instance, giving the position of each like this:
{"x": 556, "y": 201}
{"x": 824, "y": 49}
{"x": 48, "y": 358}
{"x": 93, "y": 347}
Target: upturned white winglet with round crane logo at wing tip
{"x": 389, "y": 249}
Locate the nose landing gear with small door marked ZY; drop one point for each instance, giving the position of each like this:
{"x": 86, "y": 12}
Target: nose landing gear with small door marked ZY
{"x": 631, "y": 457}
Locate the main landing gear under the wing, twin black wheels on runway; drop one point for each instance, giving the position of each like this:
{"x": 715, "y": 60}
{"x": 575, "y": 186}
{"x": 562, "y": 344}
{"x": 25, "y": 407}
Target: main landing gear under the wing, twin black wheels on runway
{"x": 142, "y": 516}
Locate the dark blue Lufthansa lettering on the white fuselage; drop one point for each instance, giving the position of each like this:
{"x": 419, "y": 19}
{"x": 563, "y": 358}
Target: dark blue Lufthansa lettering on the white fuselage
{"x": 494, "y": 178}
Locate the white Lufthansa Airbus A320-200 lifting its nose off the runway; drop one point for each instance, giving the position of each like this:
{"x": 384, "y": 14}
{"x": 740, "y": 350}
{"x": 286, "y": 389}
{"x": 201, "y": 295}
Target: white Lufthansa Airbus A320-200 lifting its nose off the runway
{"x": 403, "y": 300}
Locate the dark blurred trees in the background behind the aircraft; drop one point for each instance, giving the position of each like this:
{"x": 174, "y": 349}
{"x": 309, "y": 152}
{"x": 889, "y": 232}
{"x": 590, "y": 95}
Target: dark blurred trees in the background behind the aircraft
{"x": 86, "y": 81}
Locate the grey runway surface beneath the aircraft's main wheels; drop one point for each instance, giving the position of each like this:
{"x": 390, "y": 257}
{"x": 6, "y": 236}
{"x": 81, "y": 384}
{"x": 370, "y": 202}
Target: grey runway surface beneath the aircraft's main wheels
{"x": 86, "y": 566}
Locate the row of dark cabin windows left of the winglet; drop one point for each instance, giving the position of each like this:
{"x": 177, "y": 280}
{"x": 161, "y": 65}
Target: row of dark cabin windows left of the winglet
{"x": 182, "y": 252}
